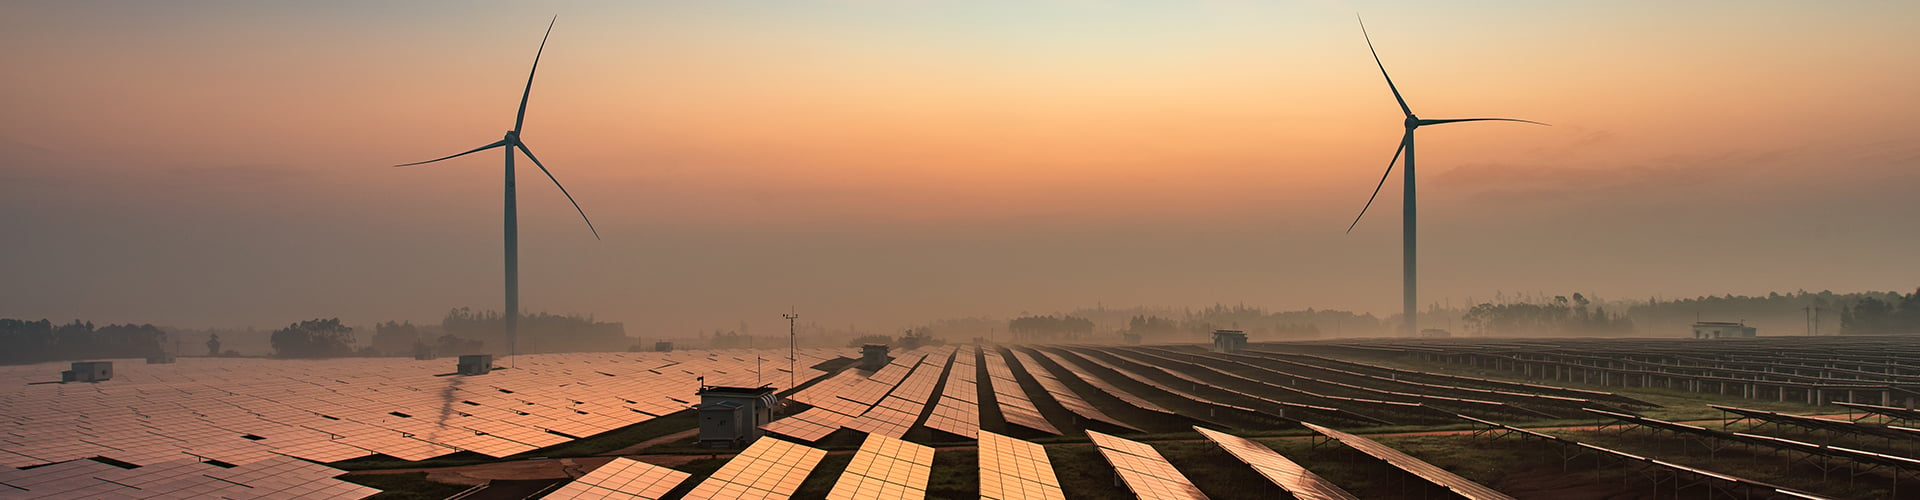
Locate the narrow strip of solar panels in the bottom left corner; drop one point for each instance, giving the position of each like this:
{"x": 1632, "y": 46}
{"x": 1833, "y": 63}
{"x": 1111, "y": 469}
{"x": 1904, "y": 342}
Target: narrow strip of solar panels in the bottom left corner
{"x": 272, "y": 478}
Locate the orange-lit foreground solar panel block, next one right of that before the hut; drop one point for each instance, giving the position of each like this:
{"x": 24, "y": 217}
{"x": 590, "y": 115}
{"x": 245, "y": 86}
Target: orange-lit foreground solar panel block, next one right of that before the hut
{"x": 886, "y": 468}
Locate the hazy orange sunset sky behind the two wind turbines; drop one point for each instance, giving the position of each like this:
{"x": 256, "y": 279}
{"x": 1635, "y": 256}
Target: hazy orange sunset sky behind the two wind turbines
{"x": 878, "y": 164}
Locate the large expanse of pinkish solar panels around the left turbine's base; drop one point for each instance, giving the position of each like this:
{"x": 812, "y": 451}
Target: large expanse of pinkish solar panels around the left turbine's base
{"x": 243, "y": 411}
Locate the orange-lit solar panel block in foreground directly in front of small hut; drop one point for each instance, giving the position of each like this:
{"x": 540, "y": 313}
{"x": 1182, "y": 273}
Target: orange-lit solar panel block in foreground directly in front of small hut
{"x": 771, "y": 468}
